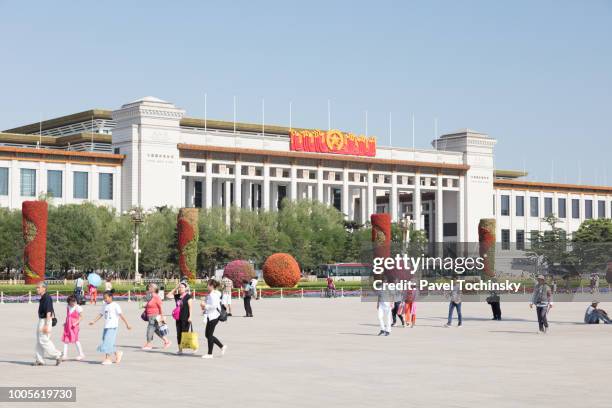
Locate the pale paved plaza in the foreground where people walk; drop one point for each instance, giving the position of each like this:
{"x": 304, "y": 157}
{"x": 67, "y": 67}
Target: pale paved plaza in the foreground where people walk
{"x": 325, "y": 353}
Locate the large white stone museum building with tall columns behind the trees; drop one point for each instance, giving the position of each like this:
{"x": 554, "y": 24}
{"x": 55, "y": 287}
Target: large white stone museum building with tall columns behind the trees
{"x": 148, "y": 153}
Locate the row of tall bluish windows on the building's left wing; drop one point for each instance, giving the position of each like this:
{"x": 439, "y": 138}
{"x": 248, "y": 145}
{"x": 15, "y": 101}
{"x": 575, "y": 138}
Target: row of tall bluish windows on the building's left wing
{"x": 55, "y": 185}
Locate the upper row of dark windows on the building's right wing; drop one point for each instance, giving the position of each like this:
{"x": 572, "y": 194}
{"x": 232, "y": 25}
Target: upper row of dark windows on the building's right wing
{"x": 534, "y": 207}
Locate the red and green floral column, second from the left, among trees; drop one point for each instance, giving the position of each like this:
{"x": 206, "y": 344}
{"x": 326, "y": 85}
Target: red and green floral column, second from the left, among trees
{"x": 187, "y": 228}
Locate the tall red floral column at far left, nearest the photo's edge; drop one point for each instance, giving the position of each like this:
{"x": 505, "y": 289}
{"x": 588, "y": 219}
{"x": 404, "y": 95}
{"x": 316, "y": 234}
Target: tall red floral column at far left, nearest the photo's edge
{"x": 34, "y": 224}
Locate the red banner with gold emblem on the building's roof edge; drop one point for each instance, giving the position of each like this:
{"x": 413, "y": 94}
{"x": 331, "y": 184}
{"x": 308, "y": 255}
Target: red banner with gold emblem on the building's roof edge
{"x": 332, "y": 141}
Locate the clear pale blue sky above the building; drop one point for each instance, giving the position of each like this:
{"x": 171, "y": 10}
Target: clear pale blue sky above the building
{"x": 535, "y": 75}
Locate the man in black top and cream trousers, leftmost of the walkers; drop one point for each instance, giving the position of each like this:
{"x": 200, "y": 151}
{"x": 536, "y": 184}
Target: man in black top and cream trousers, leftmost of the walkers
{"x": 44, "y": 345}
